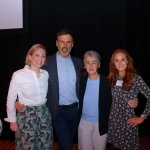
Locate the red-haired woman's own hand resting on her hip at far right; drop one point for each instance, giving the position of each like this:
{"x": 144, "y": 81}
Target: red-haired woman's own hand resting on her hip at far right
{"x": 135, "y": 121}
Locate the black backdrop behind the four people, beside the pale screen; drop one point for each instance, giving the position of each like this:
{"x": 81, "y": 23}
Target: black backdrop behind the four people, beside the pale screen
{"x": 101, "y": 25}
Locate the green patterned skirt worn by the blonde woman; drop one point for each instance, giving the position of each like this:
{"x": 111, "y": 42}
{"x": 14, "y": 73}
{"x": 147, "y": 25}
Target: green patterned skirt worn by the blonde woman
{"x": 35, "y": 129}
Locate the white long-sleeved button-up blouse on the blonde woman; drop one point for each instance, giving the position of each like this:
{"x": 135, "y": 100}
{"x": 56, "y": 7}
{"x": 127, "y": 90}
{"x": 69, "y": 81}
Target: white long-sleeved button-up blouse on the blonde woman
{"x": 28, "y": 89}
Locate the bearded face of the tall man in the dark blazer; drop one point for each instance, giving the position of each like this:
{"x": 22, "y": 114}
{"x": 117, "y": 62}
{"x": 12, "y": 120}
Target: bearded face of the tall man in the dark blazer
{"x": 64, "y": 44}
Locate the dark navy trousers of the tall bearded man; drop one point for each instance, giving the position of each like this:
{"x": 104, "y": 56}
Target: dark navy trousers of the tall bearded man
{"x": 65, "y": 126}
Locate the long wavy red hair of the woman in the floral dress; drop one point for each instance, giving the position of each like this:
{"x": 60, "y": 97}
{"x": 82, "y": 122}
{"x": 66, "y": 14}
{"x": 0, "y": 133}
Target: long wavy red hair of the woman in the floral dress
{"x": 130, "y": 71}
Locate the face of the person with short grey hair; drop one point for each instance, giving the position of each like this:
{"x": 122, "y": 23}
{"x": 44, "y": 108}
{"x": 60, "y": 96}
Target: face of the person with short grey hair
{"x": 91, "y": 65}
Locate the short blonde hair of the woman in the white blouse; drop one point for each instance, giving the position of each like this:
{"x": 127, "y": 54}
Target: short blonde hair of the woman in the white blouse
{"x": 31, "y": 51}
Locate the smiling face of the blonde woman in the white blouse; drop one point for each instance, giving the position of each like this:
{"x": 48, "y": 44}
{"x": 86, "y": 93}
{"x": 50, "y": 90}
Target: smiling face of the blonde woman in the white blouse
{"x": 38, "y": 58}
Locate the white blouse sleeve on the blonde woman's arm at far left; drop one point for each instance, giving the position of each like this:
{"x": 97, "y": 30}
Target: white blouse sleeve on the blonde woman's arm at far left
{"x": 11, "y": 99}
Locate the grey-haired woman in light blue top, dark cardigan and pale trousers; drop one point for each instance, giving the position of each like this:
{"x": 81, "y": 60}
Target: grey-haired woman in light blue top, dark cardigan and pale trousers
{"x": 94, "y": 106}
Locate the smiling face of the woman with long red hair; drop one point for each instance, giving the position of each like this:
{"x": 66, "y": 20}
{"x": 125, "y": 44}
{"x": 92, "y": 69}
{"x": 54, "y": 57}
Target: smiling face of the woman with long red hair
{"x": 120, "y": 62}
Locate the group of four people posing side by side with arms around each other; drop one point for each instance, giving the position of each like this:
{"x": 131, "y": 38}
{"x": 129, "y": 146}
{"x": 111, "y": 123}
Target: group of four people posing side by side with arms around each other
{"x": 64, "y": 95}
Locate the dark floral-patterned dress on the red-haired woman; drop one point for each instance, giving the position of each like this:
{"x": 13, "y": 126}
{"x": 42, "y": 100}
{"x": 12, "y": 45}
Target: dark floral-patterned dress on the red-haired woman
{"x": 119, "y": 133}
